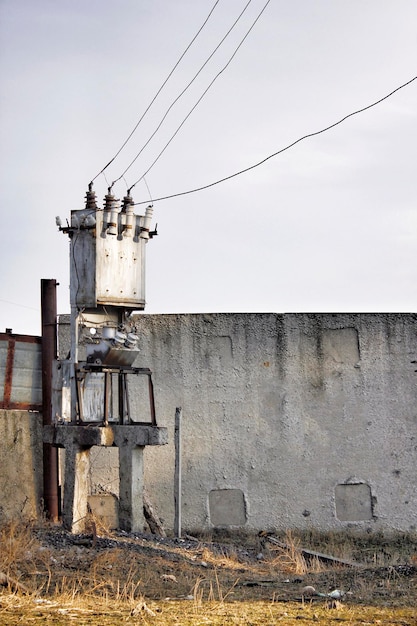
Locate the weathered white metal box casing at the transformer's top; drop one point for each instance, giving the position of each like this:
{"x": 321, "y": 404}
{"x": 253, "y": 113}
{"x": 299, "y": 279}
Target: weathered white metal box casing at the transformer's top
{"x": 107, "y": 269}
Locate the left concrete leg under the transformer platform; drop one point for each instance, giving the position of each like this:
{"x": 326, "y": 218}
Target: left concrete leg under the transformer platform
{"x": 77, "y": 468}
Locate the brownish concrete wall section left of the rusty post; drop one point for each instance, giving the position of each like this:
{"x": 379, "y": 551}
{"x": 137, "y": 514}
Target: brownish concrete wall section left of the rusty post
{"x": 21, "y": 464}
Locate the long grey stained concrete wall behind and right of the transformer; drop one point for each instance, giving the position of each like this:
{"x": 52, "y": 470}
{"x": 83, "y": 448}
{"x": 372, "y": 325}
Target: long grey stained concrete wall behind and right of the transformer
{"x": 289, "y": 421}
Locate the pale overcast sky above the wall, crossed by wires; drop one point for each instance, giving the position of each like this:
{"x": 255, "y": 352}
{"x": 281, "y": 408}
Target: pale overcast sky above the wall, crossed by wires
{"x": 329, "y": 225}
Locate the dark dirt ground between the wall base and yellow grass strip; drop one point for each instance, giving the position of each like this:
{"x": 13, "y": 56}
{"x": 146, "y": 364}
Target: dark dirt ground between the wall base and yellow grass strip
{"x": 45, "y": 561}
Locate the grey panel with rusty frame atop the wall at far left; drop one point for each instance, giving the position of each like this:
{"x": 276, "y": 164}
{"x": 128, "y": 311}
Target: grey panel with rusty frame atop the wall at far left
{"x": 20, "y": 372}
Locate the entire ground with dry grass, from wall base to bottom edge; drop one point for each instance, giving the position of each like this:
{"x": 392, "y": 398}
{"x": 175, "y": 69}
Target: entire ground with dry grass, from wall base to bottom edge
{"x": 149, "y": 582}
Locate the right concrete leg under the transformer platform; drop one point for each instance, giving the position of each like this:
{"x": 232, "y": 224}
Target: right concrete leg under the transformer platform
{"x": 131, "y": 516}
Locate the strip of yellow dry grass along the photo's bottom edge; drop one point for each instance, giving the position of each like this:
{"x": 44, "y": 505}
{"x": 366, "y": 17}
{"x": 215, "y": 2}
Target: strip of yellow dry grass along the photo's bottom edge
{"x": 17, "y": 610}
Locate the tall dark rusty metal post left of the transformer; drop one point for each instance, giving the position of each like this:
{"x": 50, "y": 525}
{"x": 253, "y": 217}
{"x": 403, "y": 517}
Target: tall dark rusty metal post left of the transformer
{"x": 49, "y": 353}
